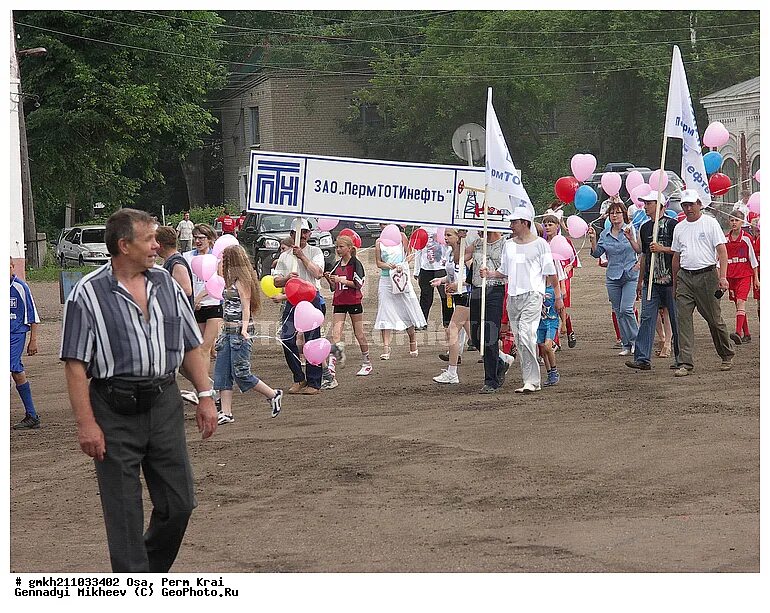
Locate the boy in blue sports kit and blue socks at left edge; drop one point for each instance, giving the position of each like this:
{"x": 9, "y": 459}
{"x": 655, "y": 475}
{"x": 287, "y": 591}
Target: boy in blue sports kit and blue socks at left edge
{"x": 24, "y": 318}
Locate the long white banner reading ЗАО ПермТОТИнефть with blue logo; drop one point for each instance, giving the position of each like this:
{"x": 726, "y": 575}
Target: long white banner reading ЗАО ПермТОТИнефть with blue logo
{"x": 372, "y": 190}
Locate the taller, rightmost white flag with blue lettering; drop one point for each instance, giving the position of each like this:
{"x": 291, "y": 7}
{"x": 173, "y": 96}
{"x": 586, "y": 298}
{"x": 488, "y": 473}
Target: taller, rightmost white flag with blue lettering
{"x": 680, "y": 123}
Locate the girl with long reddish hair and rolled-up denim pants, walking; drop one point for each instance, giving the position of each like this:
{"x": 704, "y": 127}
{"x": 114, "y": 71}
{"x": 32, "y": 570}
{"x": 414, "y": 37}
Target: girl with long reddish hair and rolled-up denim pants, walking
{"x": 242, "y": 299}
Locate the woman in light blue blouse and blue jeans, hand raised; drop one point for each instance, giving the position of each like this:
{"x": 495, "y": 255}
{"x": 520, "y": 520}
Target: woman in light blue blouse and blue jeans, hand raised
{"x": 618, "y": 243}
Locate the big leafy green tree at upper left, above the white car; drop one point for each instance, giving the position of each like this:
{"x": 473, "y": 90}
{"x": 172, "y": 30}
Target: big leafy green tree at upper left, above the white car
{"x": 116, "y": 90}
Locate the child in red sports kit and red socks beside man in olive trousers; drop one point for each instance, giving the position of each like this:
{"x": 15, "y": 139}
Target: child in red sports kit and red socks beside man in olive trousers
{"x": 742, "y": 267}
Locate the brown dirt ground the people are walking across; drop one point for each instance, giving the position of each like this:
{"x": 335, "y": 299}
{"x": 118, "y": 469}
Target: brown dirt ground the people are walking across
{"x": 613, "y": 470}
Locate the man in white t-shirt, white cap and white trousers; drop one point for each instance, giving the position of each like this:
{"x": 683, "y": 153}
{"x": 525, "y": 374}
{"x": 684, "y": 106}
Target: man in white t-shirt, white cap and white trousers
{"x": 527, "y": 263}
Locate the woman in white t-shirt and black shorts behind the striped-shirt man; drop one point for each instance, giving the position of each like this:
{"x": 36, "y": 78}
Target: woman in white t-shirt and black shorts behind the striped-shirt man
{"x": 208, "y": 308}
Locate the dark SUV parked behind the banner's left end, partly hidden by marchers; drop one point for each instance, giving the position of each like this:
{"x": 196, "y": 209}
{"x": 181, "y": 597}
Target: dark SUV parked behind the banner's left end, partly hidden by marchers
{"x": 262, "y": 233}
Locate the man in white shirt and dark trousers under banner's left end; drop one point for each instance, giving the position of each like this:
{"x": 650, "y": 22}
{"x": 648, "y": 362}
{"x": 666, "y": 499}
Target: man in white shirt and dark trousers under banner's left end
{"x": 310, "y": 267}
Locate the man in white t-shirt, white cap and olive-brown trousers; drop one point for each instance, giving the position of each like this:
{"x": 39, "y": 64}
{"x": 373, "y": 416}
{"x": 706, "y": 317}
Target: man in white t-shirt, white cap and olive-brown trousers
{"x": 698, "y": 245}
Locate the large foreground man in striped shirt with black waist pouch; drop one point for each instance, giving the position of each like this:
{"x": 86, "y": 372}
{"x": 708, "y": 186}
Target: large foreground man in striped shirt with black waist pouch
{"x": 128, "y": 327}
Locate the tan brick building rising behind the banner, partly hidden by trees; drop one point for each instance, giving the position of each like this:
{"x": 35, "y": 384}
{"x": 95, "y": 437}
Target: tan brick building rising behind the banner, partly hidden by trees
{"x": 273, "y": 111}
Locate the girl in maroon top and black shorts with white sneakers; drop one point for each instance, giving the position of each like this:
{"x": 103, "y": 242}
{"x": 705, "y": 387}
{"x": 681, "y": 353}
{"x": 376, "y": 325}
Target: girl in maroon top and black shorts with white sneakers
{"x": 346, "y": 280}
